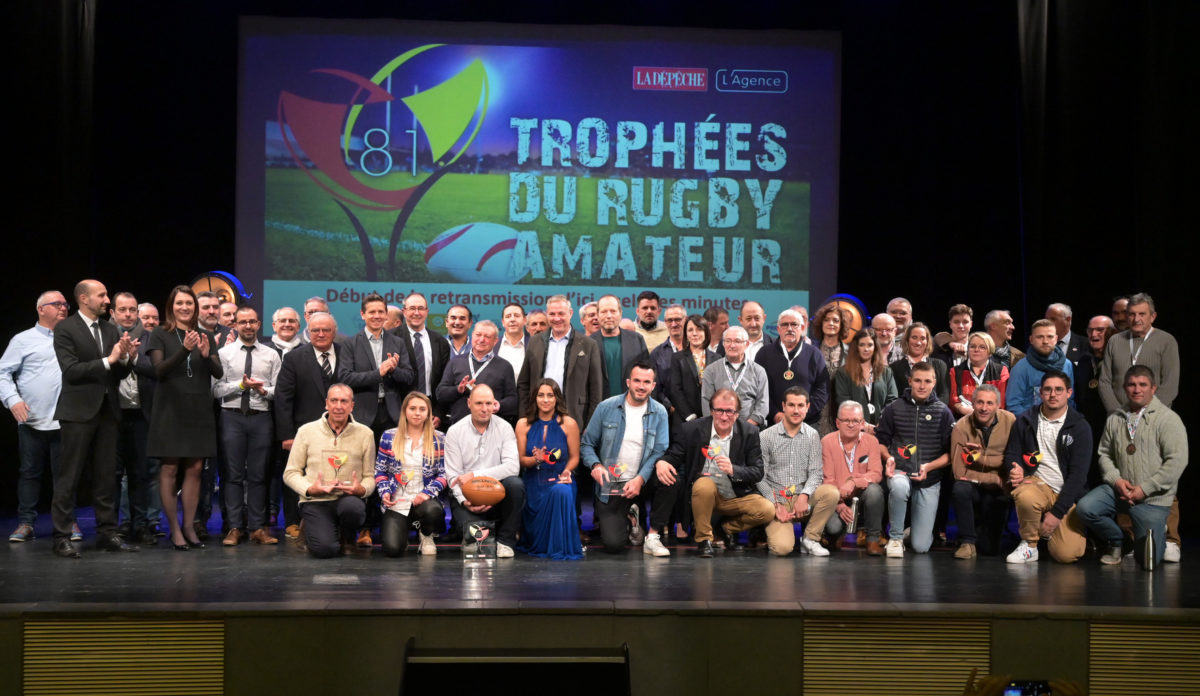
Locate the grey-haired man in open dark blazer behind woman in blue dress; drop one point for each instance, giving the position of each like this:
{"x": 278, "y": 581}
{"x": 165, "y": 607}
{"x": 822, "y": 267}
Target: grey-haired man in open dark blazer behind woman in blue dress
{"x": 569, "y": 359}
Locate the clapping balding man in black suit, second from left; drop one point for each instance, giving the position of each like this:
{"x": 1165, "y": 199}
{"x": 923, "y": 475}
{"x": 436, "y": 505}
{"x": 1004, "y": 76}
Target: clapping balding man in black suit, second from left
{"x": 94, "y": 358}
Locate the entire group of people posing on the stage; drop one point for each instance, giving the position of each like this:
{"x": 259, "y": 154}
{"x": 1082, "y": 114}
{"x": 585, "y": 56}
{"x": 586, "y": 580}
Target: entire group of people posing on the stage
{"x": 685, "y": 425}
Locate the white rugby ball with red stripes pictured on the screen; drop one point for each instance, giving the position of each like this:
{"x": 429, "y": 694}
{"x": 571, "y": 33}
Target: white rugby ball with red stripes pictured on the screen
{"x": 477, "y": 253}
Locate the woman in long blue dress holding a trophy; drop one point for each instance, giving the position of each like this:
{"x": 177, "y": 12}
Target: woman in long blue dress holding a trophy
{"x": 549, "y": 445}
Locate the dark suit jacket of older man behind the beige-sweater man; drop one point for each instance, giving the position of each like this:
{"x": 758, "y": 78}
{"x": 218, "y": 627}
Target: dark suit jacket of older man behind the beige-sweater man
{"x": 302, "y": 387}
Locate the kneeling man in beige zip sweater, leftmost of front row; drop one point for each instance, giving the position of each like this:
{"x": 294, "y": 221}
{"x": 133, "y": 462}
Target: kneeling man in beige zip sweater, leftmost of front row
{"x": 332, "y": 467}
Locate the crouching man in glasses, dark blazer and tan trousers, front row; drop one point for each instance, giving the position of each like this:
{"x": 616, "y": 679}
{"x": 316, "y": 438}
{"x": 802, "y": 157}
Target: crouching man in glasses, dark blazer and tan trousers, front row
{"x": 719, "y": 460}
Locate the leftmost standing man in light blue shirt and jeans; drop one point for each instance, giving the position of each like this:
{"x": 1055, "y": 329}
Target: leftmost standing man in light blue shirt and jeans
{"x": 31, "y": 382}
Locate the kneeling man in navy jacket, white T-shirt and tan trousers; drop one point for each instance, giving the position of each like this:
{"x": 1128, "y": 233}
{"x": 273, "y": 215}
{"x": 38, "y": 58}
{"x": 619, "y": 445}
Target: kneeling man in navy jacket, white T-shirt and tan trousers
{"x": 1048, "y": 455}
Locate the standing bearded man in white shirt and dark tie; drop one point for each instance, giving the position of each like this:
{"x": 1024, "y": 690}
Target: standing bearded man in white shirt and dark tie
{"x": 245, "y": 394}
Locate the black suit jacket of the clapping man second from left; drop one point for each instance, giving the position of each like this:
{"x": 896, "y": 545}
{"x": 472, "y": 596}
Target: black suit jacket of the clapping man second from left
{"x": 86, "y": 382}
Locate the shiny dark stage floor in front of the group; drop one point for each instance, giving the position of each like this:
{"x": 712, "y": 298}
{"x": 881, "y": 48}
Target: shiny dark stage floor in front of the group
{"x": 253, "y": 578}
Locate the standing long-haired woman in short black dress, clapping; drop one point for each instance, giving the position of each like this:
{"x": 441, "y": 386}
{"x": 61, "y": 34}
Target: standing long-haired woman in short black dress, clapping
{"x": 183, "y": 425}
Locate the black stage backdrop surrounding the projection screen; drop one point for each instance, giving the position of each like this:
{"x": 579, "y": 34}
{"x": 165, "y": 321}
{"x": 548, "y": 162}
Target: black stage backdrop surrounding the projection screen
{"x": 1001, "y": 154}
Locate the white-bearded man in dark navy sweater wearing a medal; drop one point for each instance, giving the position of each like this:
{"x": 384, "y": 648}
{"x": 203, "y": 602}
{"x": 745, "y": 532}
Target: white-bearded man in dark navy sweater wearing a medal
{"x": 791, "y": 363}
